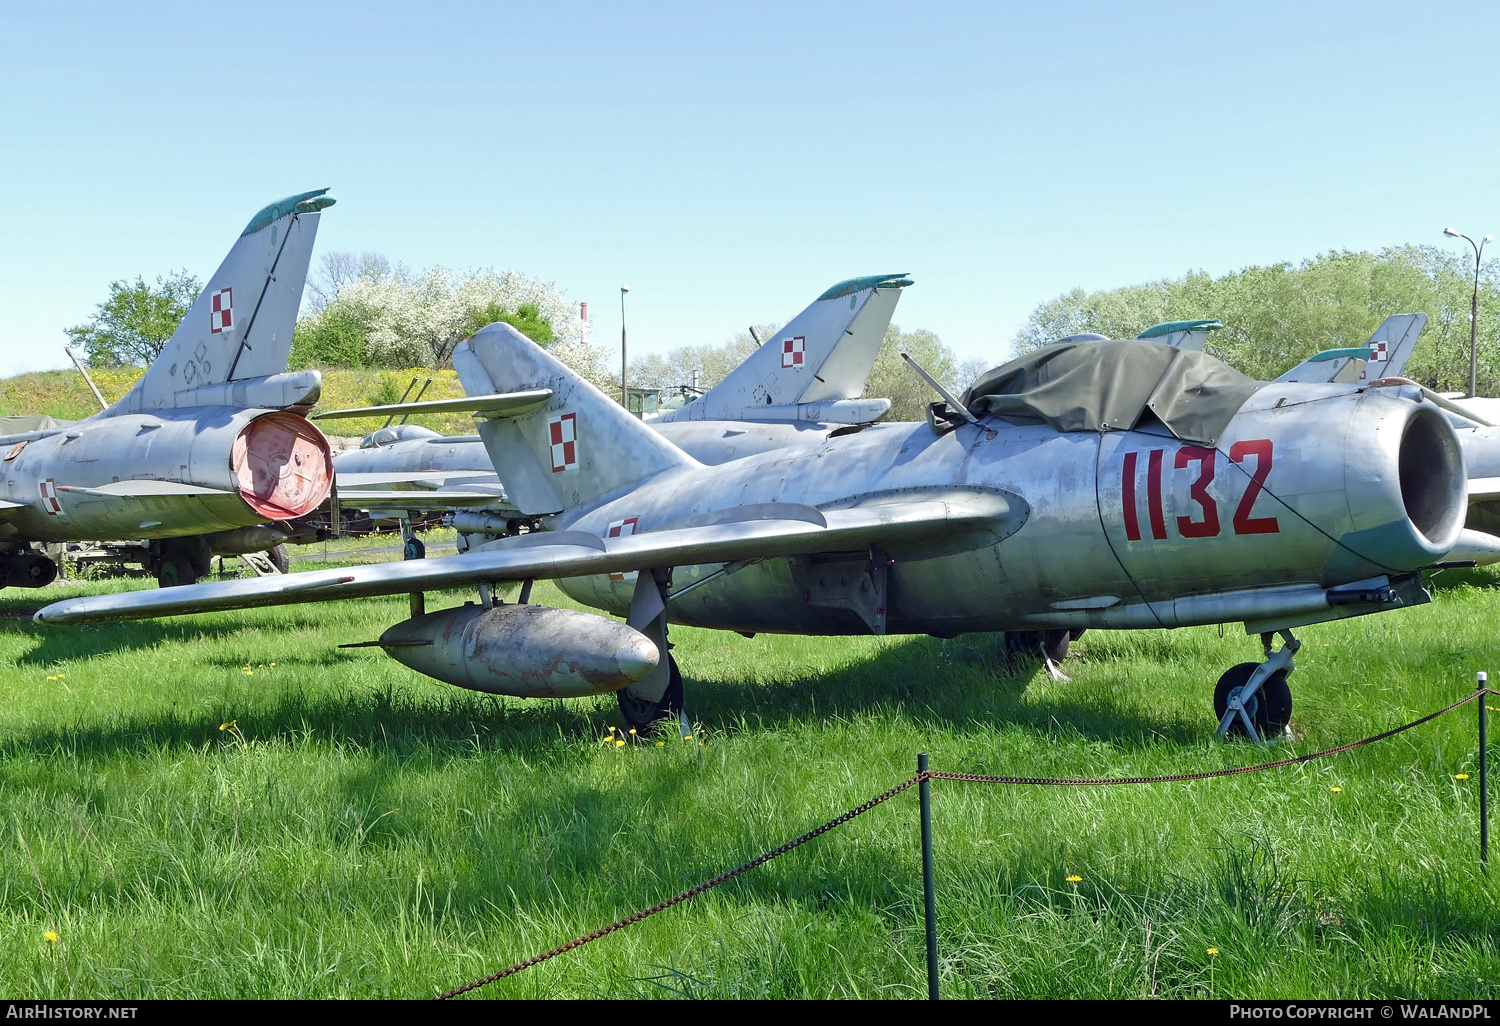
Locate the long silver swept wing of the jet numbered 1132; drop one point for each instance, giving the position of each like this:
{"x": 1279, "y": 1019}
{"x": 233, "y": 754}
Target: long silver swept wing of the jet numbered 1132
{"x": 902, "y": 524}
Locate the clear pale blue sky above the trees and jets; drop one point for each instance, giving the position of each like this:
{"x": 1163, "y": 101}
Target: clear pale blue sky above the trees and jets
{"x": 731, "y": 163}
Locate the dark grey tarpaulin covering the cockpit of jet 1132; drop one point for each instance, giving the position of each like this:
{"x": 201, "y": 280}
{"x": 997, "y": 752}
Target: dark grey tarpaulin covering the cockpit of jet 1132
{"x": 1111, "y": 386}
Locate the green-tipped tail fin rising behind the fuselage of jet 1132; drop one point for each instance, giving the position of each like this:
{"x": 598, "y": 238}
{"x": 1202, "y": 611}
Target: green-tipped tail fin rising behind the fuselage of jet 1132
{"x": 817, "y": 367}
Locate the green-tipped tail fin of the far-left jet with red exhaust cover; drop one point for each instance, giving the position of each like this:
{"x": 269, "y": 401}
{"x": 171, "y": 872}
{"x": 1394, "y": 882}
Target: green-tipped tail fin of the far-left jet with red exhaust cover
{"x": 239, "y": 331}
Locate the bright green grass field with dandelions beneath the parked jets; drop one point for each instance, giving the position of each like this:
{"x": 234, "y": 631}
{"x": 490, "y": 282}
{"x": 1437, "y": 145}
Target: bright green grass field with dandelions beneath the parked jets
{"x": 361, "y": 830}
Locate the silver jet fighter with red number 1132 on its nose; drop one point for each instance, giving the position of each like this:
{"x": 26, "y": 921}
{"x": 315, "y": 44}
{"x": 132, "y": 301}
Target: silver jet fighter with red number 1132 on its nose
{"x": 1100, "y": 485}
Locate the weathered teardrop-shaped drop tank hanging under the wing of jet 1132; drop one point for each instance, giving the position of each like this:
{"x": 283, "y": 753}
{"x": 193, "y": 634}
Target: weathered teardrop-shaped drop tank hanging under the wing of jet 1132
{"x": 524, "y": 652}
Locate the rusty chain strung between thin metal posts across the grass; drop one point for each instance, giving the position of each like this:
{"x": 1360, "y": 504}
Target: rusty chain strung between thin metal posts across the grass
{"x": 913, "y": 782}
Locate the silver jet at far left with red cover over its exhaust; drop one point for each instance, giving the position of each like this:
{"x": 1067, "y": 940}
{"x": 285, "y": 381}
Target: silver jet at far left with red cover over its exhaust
{"x": 214, "y": 439}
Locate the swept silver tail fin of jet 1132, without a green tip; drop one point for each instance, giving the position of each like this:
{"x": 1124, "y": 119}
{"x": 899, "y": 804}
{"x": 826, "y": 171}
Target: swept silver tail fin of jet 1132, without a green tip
{"x": 578, "y": 448}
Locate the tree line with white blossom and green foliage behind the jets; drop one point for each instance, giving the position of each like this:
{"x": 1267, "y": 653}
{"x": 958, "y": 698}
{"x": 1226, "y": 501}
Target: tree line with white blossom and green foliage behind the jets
{"x": 364, "y": 311}
